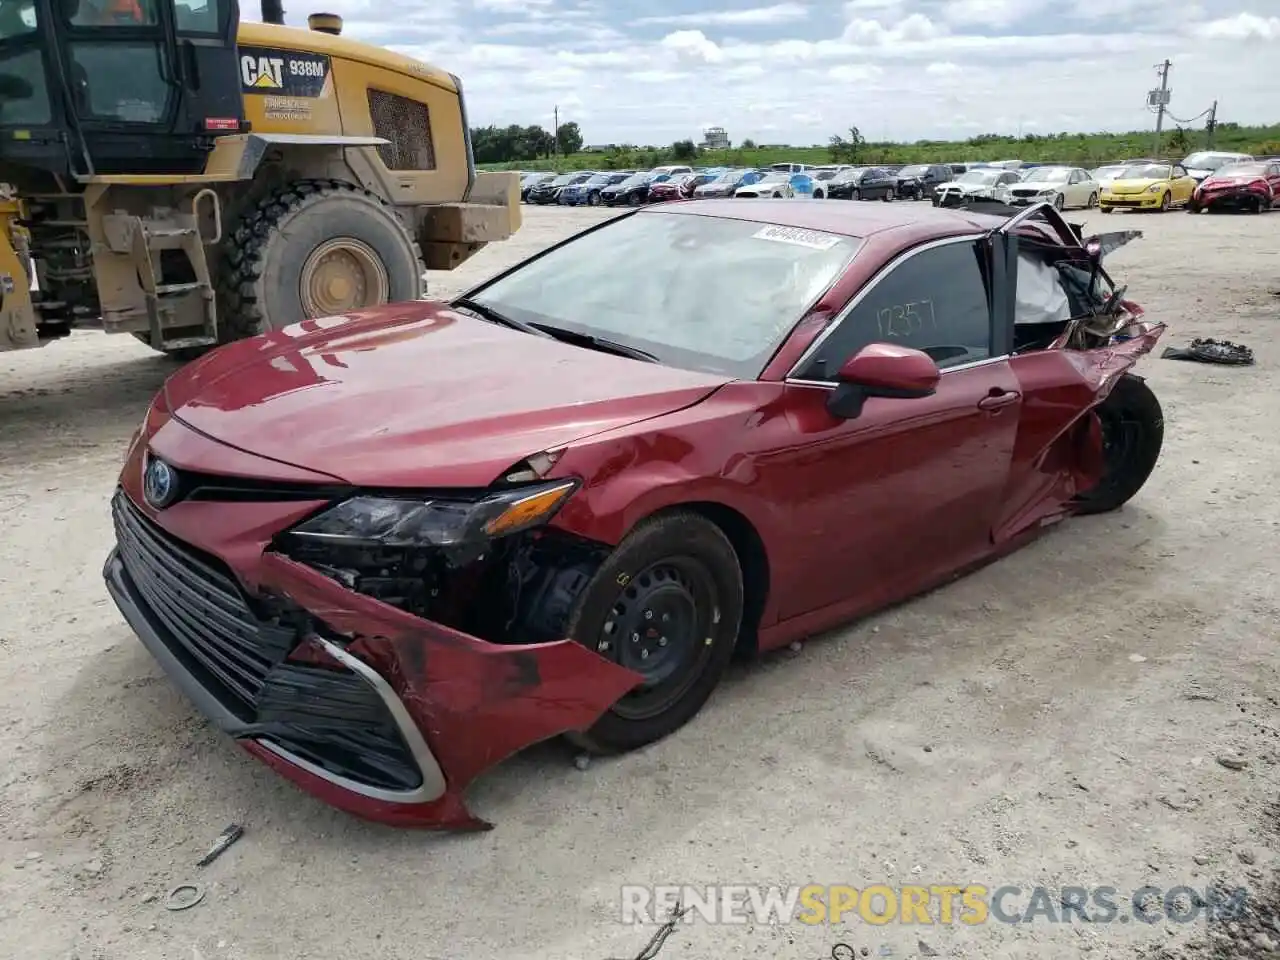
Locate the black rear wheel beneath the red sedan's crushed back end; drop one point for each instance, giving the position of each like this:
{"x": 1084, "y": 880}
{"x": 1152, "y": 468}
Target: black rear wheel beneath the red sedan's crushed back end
{"x": 1133, "y": 429}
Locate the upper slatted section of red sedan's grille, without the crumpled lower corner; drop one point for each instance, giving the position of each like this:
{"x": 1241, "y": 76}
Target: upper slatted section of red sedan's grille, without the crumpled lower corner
{"x": 202, "y": 609}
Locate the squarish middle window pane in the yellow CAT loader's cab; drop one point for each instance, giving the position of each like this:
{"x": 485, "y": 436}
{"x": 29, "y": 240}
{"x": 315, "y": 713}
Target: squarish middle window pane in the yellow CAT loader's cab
{"x": 120, "y": 83}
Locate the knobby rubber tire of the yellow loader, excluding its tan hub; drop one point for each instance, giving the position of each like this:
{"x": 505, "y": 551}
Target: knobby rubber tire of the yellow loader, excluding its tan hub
{"x": 262, "y": 267}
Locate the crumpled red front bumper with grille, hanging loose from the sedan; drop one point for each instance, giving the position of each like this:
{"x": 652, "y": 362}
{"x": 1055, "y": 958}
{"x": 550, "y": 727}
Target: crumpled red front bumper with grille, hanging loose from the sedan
{"x": 372, "y": 710}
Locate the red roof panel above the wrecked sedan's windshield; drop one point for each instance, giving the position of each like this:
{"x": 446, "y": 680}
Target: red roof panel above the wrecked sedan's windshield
{"x": 860, "y": 221}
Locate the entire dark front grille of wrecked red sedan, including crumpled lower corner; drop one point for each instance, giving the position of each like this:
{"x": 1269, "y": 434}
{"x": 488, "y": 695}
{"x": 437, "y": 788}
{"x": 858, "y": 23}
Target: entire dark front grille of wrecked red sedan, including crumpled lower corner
{"x": 330, "y": 717}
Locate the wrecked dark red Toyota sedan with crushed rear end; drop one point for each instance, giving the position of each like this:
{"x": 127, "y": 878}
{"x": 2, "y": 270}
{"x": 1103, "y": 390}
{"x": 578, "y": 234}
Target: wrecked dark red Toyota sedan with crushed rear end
{"x": 387, "y": 551}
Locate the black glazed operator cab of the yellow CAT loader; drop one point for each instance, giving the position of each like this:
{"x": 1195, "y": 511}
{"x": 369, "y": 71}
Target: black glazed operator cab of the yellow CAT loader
{"x": 117, "y": 86}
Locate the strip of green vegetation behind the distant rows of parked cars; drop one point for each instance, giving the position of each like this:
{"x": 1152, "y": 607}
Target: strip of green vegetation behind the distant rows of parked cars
{"x": 1077, "y": 149}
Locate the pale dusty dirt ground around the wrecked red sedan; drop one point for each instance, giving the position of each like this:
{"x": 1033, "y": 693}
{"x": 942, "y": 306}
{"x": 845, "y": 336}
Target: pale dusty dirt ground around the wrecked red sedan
{"x": 1095, "y": 711}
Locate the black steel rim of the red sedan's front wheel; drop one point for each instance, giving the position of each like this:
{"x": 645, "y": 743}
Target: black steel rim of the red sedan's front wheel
{"x": 662, "y": 627}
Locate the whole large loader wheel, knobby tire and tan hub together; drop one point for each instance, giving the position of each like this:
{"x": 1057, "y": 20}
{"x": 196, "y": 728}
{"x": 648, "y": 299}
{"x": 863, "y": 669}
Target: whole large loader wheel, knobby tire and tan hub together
{"x": 285, "y": 241}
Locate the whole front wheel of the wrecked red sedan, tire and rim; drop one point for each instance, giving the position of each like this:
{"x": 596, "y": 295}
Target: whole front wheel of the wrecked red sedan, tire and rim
{"x": 688, "y": 560}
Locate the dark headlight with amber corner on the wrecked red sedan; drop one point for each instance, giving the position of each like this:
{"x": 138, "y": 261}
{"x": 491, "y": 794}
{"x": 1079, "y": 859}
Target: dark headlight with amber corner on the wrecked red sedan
{"x": 394, "y": 522}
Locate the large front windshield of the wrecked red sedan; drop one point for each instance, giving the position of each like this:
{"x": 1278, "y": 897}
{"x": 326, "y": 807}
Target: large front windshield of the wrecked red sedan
{"x": 697, "y": 292}
